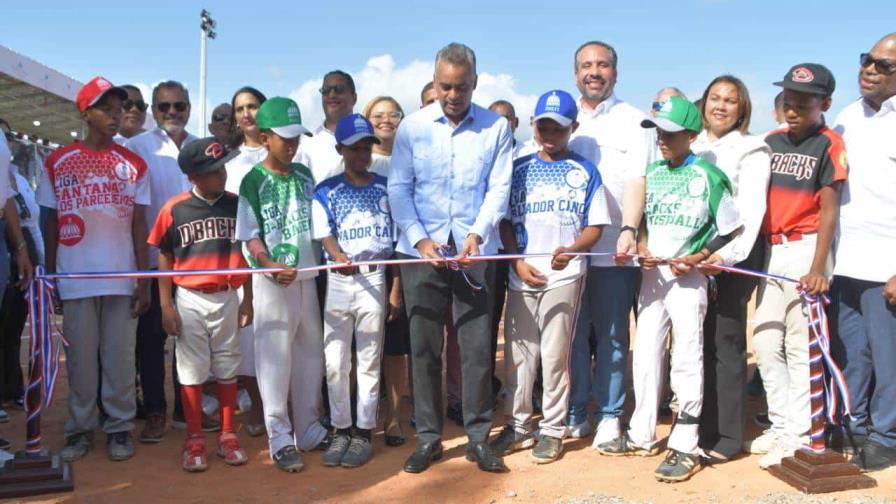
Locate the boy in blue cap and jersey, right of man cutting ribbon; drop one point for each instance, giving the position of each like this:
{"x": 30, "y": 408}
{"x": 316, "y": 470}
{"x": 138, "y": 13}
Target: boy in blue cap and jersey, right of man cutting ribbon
{"x": 557, "y": 205}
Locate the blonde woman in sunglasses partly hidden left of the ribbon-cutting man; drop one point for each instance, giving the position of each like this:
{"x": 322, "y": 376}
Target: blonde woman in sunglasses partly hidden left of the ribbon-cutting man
{"x": 384, "y": 113}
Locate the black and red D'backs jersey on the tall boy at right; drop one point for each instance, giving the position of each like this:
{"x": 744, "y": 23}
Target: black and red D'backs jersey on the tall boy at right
{"x": 799, "y": 171}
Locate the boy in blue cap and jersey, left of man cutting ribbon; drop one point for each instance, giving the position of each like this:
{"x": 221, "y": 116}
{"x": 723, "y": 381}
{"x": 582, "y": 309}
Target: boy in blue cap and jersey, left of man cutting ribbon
{"x": 351, "y": 218}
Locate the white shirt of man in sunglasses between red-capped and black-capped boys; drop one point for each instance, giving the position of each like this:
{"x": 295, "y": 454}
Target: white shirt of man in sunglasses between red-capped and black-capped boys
{"x": 166, "y": 179}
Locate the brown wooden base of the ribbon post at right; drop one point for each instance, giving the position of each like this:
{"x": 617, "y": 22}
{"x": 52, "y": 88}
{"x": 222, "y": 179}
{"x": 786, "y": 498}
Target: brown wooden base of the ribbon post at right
{"x": 824, "y": 472}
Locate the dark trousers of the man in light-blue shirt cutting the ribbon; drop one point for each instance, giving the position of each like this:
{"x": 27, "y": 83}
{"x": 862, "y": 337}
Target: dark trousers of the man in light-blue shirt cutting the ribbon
{"x": 428, "y": 293}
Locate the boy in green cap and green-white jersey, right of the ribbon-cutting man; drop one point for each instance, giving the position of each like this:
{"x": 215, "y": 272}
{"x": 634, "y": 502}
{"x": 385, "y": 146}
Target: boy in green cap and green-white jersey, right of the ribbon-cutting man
{"x": 689, "y": 213}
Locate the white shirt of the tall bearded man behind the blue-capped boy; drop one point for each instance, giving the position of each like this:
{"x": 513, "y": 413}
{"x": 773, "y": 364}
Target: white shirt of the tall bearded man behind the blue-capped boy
{"x": 611, "y": 137}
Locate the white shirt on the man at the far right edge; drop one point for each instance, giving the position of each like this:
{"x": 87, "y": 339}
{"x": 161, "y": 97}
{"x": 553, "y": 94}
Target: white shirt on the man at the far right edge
{"x": 866, "y": 235}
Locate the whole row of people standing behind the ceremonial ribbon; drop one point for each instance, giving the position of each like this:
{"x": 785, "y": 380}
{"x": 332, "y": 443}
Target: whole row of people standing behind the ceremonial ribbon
{"x": 606, "y": 212}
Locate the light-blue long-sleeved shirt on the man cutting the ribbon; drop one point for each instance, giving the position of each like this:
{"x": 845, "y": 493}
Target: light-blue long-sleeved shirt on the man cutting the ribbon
{"x": 450, "y": 181}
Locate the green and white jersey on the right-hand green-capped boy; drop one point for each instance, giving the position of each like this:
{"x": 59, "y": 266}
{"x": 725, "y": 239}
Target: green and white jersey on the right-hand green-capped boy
{"x": 687, "y": 206}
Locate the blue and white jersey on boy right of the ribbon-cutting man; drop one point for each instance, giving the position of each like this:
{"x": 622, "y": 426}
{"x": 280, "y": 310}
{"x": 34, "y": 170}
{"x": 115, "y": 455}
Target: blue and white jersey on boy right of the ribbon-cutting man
{"x": 550, "y": 203}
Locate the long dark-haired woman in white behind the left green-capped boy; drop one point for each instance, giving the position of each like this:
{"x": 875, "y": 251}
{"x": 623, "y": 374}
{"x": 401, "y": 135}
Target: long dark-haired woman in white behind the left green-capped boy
{"x": 246, "y": 137}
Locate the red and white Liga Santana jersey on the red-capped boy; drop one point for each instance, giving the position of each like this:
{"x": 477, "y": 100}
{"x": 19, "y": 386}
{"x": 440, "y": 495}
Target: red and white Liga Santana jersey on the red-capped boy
{"x": 94, "y": 193}
